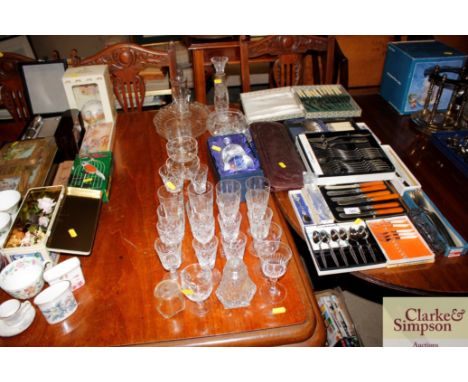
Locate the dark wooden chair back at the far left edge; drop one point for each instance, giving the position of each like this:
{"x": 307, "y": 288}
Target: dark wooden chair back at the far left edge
{"x": 12, "y": 91}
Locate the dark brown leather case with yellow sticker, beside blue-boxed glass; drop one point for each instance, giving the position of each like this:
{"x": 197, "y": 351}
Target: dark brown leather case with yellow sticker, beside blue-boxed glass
{"x": 280, "y": 161}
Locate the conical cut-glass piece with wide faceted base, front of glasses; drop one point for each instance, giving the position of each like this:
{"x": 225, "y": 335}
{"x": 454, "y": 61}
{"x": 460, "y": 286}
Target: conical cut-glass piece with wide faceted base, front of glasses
{"x": 236, "y": 289}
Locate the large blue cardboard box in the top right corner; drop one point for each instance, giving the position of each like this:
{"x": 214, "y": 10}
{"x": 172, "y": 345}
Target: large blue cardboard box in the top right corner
{"x": 404, "y": 80}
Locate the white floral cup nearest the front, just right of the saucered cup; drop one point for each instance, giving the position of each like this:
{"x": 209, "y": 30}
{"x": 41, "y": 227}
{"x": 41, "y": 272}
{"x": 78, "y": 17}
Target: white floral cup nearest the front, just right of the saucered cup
{"x": 57, "y": 302}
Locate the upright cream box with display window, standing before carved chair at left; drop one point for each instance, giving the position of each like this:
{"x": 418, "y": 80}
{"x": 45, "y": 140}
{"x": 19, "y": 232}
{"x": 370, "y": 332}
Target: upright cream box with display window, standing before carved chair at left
{"x": 85, "y": 84}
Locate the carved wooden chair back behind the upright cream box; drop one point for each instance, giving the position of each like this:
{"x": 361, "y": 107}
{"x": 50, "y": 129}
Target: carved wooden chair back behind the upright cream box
{"x": 126, "y": 61}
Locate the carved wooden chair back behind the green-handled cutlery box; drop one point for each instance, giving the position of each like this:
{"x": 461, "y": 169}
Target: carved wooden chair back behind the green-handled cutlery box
{"x": 294, "y": 54}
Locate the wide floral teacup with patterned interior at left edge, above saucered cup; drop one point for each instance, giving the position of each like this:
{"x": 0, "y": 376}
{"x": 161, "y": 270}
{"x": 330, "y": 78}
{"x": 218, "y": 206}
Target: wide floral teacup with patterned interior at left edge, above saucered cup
{"x": 23, "y": 277}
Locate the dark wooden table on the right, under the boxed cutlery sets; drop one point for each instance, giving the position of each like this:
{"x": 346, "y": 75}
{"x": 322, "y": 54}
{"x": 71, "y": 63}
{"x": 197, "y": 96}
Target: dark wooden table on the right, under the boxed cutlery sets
{"x": 441, "y": 181}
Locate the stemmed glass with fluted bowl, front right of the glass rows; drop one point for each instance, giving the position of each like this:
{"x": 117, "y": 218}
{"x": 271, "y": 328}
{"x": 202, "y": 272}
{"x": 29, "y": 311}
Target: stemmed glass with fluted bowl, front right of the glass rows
{"x": 274, "y": 266}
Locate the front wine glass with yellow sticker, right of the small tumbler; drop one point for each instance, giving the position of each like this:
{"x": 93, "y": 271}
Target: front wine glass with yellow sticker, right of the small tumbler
{"x": 197, "y": 285}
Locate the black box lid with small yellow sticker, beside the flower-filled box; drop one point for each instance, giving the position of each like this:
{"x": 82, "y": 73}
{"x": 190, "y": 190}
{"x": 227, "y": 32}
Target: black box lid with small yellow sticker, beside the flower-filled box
{"x": 74, "y": 228}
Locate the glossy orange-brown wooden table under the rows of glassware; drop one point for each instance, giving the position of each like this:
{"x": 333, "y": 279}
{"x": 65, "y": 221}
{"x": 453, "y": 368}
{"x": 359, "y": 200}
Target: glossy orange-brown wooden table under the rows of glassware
{"x": 117, "y": 307}
